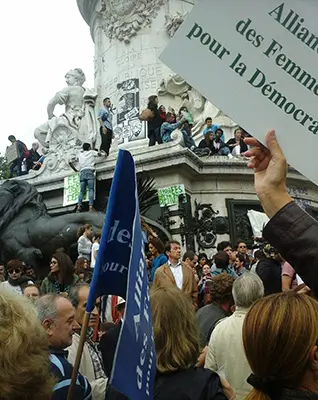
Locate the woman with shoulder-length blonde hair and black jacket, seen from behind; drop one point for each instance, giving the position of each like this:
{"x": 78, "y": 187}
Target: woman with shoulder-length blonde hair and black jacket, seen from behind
{"x": 176, "y": 339}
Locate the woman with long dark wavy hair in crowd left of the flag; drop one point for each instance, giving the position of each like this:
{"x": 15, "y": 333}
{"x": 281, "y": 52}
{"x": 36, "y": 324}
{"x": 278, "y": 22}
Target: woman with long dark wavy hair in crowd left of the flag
{"x": 61, "y": 277}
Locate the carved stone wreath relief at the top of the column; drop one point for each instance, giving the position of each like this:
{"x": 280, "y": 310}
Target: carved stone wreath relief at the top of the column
{"x": 124, "y": 18}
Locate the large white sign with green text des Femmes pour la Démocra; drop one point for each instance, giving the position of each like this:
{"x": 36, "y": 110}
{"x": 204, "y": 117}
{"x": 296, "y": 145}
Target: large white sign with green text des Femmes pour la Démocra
{"x": 257, "y": 62}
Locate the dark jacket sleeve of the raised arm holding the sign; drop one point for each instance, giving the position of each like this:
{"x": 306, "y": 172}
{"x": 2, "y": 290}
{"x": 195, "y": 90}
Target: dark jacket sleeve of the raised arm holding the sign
{"x": 295, "y": 234}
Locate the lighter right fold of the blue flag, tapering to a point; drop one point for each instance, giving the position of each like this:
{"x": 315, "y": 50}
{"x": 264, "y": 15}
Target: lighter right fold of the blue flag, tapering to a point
{"x": 134, "y": 367}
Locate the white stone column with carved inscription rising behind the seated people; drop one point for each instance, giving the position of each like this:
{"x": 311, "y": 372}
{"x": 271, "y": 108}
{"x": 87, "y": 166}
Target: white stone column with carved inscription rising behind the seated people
{"x": 129, "y": 36}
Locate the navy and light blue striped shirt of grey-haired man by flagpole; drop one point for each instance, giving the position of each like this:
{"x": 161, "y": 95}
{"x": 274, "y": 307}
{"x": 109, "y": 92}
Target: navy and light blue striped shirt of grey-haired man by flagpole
{"x": 62, "y": 371}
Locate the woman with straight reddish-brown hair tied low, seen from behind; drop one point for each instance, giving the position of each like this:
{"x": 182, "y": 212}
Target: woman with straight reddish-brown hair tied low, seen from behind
{"x": 280, "y": 335}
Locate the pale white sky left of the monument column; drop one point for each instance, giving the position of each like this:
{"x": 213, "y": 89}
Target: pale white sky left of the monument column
{"x": 40, "y": 40}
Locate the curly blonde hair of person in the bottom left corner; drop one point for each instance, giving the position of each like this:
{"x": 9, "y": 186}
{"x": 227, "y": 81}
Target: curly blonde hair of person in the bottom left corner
{"x": 24, "y": 351}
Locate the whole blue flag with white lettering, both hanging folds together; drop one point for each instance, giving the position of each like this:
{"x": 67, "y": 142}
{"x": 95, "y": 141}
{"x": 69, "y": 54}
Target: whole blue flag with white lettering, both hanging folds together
{"x": 121, "y": 270}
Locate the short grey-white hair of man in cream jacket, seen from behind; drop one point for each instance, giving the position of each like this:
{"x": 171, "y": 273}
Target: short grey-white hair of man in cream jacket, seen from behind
{"x": 247, "y": 289}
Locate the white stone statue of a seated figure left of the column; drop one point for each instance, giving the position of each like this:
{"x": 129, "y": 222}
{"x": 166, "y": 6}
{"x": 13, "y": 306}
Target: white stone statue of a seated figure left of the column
{"x": 62, "y": 136}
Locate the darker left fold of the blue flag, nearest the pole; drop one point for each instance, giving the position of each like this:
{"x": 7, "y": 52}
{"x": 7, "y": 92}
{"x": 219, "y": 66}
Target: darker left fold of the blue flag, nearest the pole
{"x": 111, "y": 267}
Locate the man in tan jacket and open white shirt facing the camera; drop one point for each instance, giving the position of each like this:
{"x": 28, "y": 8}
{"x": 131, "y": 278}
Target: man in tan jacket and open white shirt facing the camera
{"x": 177, "y": 273}
